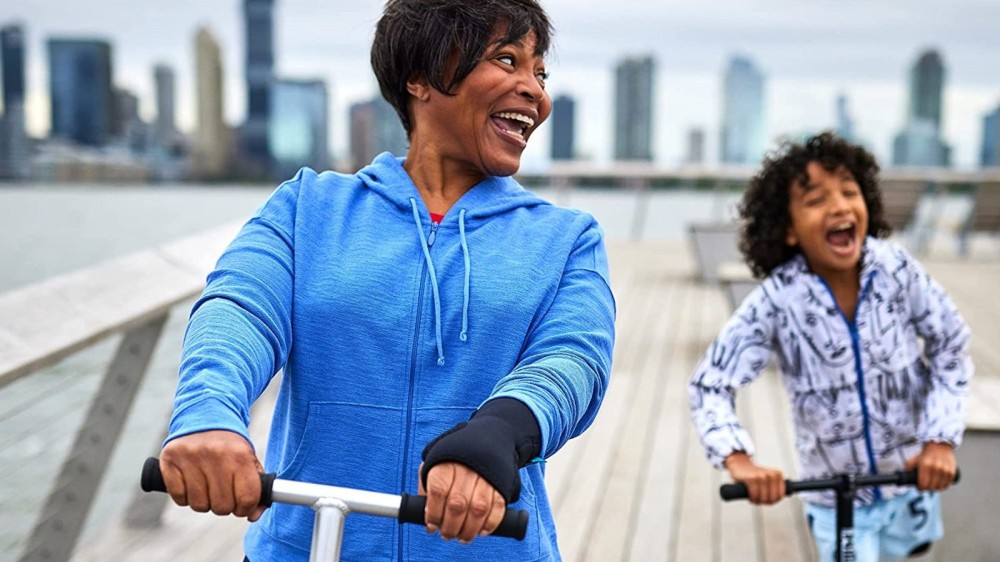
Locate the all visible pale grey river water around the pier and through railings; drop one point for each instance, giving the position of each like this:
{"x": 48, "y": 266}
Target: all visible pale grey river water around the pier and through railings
{"x": 48, "y": 230}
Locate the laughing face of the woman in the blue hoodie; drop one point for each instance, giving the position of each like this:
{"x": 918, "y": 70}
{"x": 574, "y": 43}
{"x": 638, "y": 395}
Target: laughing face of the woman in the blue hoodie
{"x": 486, "y": 124}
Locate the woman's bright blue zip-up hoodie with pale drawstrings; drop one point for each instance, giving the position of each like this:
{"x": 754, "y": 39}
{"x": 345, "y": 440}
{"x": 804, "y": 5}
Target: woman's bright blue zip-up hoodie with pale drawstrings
{"x": 390, "y": 331}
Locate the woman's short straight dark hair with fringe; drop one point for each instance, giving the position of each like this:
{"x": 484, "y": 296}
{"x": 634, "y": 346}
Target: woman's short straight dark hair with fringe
{"x": 419, "y": 38}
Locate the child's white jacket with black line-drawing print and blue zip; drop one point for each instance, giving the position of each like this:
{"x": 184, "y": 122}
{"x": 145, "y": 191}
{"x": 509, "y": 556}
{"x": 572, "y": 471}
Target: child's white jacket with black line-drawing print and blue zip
{"x": 864, "y": 396}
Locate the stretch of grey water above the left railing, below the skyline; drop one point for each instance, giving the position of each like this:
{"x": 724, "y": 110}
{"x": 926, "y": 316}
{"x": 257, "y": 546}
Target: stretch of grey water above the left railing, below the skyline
{"x": 49, "y": 230}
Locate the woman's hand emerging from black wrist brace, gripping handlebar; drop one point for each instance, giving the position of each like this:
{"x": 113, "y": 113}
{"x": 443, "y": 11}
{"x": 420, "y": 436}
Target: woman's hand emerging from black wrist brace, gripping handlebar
{"x": 460, "y": 503}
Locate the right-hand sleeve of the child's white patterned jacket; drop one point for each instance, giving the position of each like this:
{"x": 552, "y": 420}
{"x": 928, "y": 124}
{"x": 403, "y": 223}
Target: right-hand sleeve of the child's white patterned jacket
{"x": 946, "y": 349}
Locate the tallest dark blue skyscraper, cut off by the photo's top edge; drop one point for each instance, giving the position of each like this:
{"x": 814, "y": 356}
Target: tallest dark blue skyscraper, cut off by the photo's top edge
{"x": 259, "y": 45}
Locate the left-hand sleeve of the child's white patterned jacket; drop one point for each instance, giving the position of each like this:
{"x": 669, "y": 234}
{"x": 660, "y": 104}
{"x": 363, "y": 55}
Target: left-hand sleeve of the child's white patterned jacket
{"x": 734, "y": 359}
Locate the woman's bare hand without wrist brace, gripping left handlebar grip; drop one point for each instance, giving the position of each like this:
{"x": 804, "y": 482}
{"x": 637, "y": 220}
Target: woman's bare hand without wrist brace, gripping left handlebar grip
{"x": 213, "y": 471}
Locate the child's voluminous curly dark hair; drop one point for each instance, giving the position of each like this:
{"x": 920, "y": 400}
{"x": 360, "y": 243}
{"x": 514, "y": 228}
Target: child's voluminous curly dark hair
{"x": 764, "y": 208}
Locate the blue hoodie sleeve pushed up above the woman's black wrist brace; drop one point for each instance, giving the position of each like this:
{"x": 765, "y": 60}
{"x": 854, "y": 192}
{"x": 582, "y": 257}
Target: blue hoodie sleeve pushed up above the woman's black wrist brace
{"x": 566, "y": 364}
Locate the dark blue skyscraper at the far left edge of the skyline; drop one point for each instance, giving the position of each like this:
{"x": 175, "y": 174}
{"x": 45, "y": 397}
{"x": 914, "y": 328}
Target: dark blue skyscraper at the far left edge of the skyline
{"x": 15, "y": 149}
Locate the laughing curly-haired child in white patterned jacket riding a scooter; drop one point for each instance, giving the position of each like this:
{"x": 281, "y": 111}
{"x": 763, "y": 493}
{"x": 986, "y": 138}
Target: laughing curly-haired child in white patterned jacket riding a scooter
{"x": 872, "y": 352}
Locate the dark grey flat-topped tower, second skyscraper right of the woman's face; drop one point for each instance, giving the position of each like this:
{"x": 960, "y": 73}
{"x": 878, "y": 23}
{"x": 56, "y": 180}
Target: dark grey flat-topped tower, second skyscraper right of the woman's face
{"x": 634, "y": 109}
